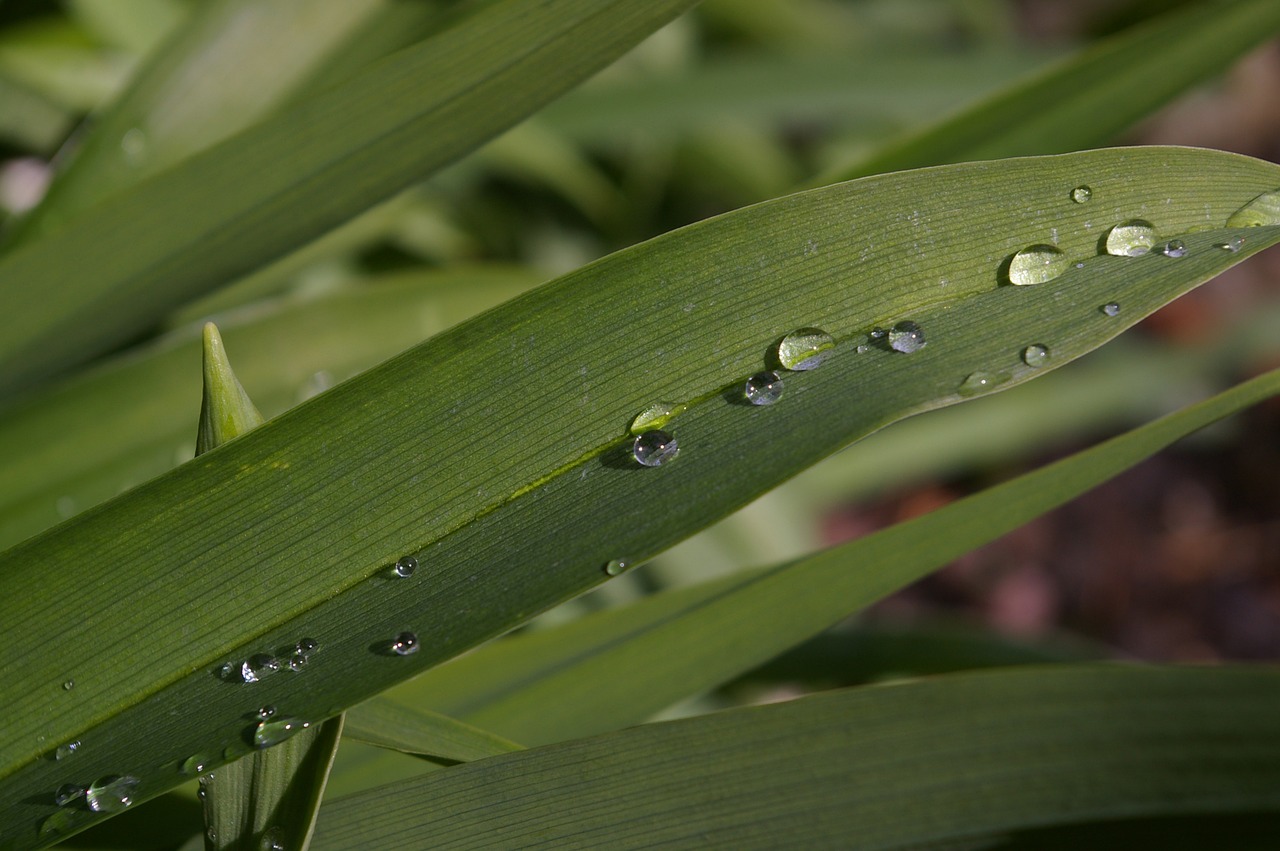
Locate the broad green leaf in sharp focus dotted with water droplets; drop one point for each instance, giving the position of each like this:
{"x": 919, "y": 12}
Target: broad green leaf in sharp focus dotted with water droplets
{"x": 497, "y": 455}
